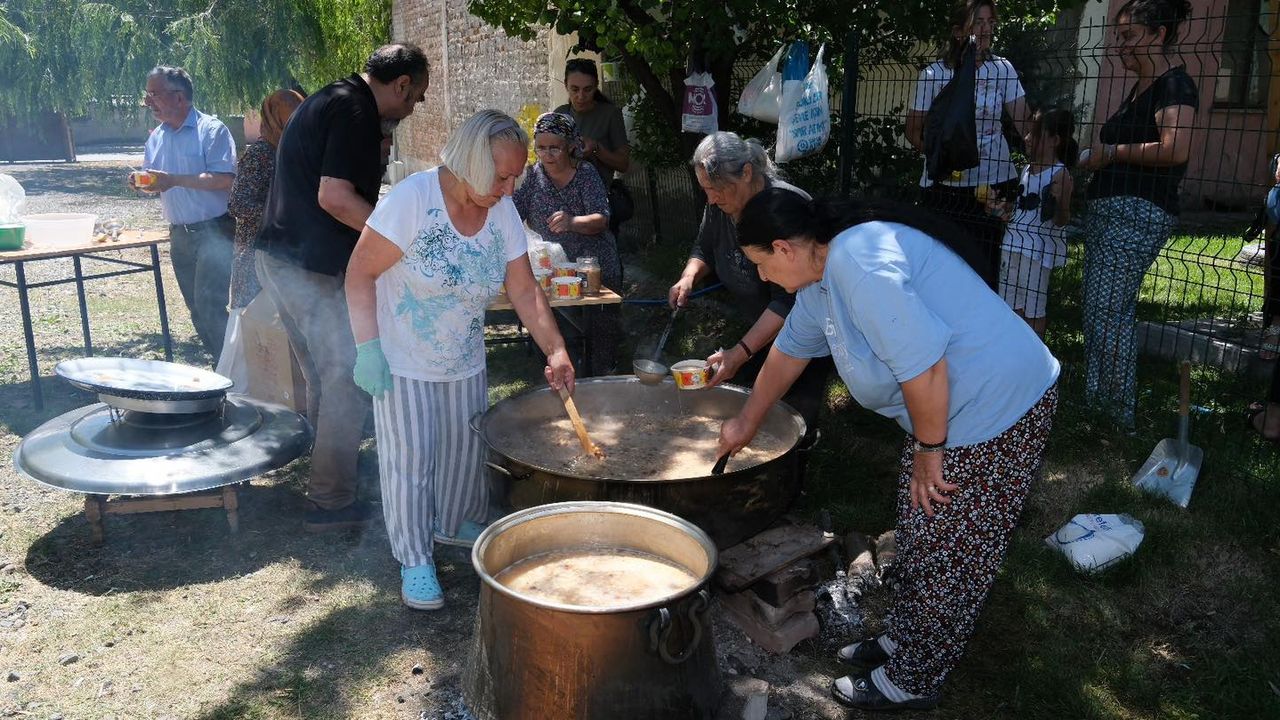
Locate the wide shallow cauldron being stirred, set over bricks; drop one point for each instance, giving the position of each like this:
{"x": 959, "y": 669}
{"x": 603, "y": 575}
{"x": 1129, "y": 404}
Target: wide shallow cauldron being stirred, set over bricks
{"x": 730, "y": 508}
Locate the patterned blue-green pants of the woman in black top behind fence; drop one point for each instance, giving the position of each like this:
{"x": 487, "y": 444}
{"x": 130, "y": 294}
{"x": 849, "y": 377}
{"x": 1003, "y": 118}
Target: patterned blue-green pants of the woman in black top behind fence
{"x": 1123, "y": 239}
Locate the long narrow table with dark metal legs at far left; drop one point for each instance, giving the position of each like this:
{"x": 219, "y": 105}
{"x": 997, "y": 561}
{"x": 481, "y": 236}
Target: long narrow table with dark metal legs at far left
{"x": 79, "y": 254}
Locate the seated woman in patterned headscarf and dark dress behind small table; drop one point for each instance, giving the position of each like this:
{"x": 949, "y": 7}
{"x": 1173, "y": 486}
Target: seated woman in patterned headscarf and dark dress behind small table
{"x": 565, "y": 200}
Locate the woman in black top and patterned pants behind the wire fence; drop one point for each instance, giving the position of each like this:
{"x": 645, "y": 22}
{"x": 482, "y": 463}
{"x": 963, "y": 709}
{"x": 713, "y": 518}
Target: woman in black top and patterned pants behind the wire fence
{"x": 1139, "y": 162}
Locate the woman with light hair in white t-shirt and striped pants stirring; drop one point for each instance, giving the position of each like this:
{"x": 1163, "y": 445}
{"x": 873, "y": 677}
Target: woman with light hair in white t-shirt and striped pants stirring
{"x": 431, "y": 258}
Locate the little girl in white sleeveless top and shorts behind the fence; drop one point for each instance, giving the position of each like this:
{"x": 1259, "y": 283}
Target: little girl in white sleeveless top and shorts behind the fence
{"x": 1035, "y": 240}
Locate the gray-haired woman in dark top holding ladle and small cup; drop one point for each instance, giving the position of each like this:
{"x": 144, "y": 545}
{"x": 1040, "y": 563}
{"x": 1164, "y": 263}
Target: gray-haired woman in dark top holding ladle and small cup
{"x": 732, "y": 171}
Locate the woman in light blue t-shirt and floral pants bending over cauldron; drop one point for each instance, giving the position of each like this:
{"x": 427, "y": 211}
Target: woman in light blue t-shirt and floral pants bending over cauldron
{"x": 921, "y": 339}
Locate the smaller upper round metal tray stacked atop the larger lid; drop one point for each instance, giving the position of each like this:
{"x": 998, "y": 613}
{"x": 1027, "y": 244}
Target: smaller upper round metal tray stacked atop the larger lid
{"x": 143, "y": 380}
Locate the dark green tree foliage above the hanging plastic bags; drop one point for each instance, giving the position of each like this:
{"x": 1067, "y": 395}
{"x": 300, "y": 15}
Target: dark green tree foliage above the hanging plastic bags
{"x": 659, "y": 42}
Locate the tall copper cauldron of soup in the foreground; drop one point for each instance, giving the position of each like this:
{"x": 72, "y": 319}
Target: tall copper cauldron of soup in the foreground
{"x": 540, "y": 660}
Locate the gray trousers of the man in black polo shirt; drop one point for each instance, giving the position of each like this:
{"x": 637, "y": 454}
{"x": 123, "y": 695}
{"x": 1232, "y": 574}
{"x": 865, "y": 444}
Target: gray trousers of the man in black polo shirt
{"x": 313, "y": 308}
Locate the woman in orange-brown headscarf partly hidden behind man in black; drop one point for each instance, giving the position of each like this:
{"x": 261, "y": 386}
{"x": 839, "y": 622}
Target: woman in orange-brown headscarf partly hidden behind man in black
{"x": 248, "y": 200}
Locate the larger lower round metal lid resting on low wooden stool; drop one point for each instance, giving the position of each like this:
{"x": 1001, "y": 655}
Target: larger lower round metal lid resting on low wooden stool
{"x": 109, "y": 452}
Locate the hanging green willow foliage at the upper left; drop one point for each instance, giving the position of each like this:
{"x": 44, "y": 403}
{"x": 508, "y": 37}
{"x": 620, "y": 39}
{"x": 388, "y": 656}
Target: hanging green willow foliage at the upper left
{"x": 63, "y": 56}
